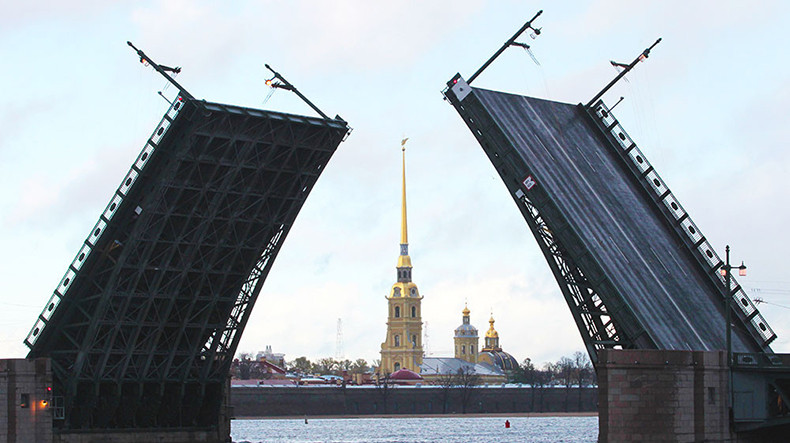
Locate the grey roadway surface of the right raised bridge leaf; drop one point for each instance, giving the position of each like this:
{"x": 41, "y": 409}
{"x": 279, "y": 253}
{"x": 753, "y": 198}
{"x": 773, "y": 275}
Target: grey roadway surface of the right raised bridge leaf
{"x": 614, "y": 223}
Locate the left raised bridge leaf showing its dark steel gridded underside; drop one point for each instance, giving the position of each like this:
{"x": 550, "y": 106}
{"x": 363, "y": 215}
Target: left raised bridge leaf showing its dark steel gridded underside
{"x": 143, "y": 326}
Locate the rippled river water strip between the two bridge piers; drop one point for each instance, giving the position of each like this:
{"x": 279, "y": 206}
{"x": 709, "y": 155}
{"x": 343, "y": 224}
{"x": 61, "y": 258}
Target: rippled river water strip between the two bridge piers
{"x": 422, "y": 429}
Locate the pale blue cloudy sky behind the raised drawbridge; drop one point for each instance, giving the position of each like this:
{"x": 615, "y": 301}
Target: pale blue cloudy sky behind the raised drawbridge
{"x": 708, "y": 109}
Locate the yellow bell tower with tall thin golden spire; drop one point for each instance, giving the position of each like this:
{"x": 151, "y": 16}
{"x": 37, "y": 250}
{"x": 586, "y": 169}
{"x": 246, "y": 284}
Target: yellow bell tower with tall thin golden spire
{"x": 402, "y": 348}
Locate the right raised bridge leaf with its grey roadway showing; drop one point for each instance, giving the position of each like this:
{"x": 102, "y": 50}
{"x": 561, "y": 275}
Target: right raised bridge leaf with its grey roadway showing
{"x": 635, "y": 270}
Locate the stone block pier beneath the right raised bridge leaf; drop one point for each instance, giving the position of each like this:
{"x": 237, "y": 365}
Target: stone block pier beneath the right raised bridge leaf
{"x": 656, "y": 395}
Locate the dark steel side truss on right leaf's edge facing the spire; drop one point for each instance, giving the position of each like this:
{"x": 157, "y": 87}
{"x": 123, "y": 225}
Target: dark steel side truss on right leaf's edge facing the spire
{"x": 602, "y": 319}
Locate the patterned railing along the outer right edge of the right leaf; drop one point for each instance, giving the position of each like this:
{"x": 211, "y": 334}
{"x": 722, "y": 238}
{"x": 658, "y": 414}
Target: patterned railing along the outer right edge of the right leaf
{"x": 704, "y": 250}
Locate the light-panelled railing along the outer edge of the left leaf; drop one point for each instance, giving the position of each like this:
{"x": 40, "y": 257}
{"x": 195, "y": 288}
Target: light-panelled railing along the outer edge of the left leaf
{"x": 98, "y": 229}
